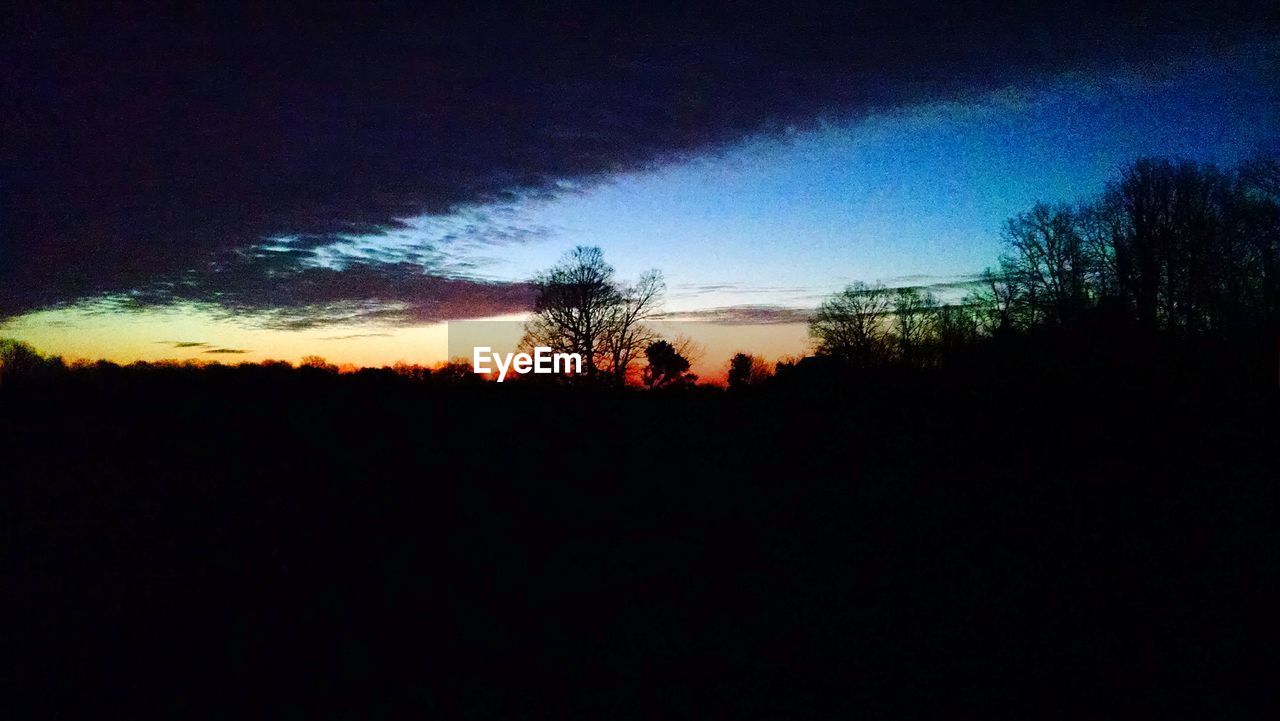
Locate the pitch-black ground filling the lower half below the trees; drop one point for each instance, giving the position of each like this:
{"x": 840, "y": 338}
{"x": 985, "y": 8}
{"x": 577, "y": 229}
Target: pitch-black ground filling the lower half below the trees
{"x": 246, "y": 545}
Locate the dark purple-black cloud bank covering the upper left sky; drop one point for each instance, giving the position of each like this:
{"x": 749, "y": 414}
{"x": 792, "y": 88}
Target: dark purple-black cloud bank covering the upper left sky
{"x": 145, "y": 143}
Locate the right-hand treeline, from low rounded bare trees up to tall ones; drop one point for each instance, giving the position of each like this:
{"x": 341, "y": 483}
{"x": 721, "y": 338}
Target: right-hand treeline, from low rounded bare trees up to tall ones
{"x": 1172, "y": 254}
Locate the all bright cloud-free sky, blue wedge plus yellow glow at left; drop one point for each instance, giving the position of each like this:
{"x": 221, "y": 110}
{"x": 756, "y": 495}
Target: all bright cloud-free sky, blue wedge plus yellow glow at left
{"x": 912, "y": 195}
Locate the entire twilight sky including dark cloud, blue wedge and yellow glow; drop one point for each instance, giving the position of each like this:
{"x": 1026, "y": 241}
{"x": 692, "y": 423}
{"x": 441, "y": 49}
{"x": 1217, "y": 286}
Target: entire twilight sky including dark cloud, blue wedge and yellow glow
{"x": 244, "y": 184}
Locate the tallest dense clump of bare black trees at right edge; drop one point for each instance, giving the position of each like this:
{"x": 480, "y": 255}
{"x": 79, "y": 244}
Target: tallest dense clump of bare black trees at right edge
{"x": 1185, "y": 250}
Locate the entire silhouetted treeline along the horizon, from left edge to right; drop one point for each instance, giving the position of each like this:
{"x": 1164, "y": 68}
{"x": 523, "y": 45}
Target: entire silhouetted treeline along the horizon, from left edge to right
{"x": 1172, "y": 258}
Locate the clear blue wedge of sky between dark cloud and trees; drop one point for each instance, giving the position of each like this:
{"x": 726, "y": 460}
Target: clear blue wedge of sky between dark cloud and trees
{"x": 918, "y": 191}
